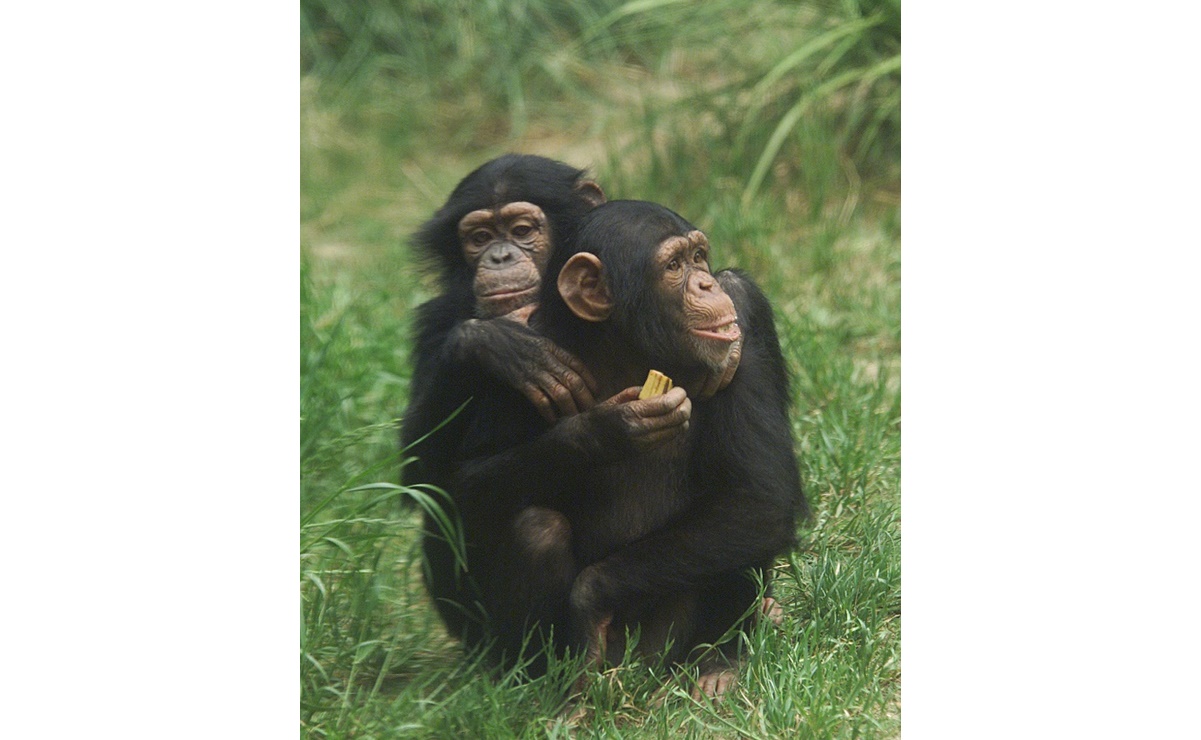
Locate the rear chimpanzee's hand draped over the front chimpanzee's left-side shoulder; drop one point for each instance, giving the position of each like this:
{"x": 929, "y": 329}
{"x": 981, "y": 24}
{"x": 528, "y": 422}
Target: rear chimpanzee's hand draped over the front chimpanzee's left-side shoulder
{"x": 553, "y": 379}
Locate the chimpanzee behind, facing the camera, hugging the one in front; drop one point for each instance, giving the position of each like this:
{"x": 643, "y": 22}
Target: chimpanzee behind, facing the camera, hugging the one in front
{"x": 491, "y": 243}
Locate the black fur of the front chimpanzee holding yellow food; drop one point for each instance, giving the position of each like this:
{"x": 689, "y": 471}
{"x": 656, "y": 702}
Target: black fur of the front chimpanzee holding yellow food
{"x": 674, "y": 536}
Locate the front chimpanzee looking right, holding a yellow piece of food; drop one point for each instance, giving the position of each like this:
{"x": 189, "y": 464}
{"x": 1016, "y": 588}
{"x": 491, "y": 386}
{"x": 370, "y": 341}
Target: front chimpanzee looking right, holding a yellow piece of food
{"x": 655, "y": 515}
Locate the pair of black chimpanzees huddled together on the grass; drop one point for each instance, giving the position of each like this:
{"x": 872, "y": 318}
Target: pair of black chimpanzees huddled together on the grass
{"x": 587, "y": 515}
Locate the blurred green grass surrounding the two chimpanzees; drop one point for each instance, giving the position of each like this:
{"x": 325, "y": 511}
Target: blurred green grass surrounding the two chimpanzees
{"x": 774, "y": 127}
